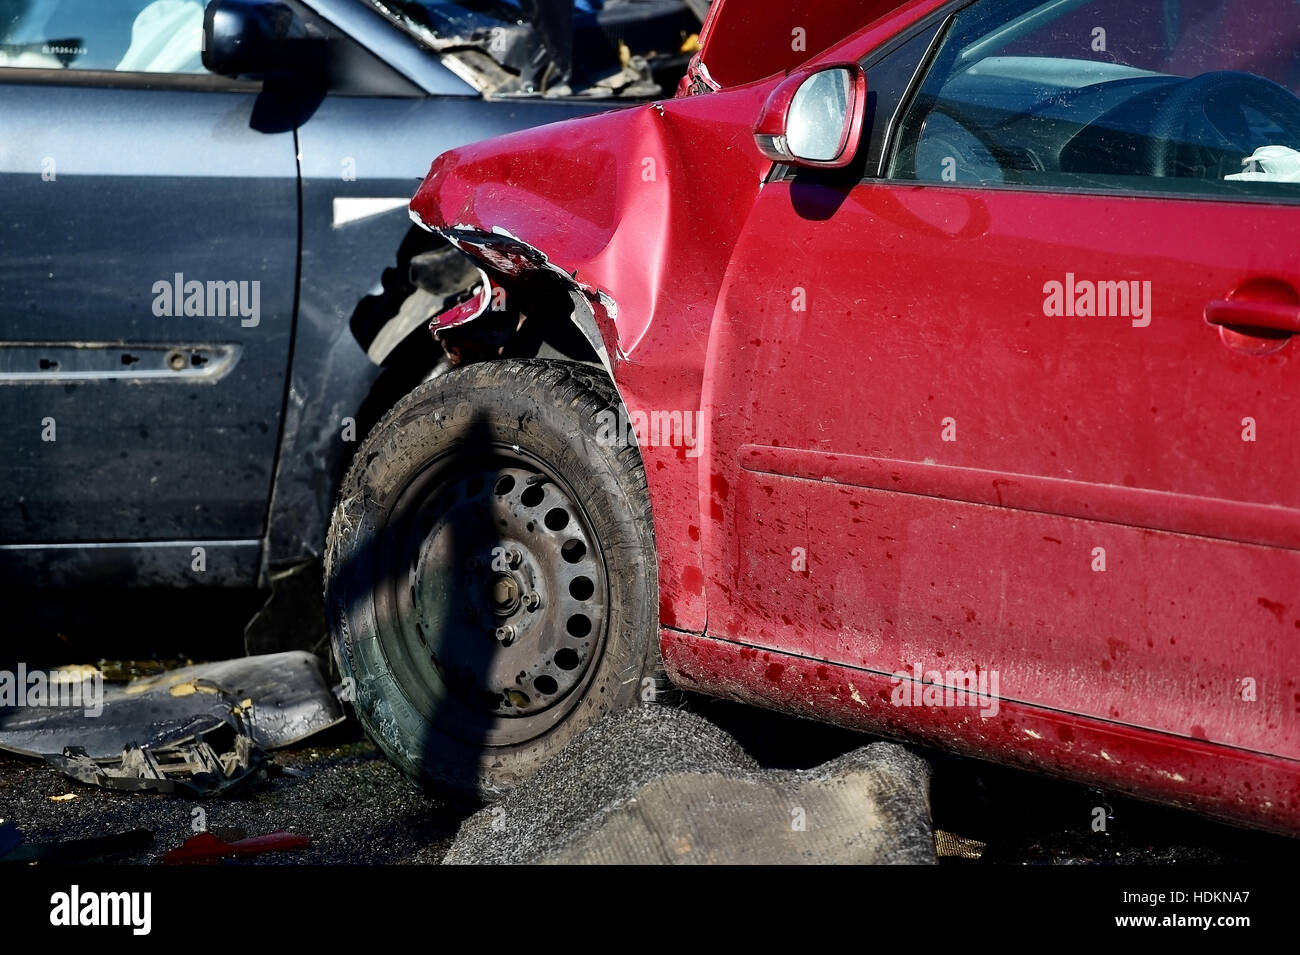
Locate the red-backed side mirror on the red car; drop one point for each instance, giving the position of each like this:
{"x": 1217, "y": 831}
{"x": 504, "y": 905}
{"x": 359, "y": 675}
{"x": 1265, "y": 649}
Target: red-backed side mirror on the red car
{"x": 814, "y": 118}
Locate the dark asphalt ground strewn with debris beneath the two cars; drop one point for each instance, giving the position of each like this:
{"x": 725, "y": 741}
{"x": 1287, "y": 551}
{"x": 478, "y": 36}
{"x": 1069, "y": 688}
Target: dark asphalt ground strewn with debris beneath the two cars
{"x": 341, "y": 793}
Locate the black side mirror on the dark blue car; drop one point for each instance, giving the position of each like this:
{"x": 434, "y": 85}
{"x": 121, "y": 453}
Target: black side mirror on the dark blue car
{"x": 258, "y": 40}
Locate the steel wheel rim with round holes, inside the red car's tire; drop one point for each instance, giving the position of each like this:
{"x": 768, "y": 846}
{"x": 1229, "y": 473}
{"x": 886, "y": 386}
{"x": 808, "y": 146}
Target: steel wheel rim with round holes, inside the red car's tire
{"x": 496, "y": 596}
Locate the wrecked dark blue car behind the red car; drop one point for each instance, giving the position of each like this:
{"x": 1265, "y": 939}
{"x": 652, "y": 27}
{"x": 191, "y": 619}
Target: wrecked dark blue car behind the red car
{"x": 210, "y": 286}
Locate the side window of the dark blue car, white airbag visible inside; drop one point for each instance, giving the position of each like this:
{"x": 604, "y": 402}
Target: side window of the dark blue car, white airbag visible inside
{"x": 123, "y": 36}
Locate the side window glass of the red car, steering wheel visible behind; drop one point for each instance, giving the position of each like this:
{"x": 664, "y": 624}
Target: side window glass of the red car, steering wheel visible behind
{"x": 1194, "y": 97}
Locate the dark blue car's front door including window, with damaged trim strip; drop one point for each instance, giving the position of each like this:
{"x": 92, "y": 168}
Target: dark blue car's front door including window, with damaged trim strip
{"x": 148, "y": 275}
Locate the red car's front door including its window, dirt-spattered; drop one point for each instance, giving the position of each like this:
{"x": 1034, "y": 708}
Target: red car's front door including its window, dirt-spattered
{"x": 968, "y": 413}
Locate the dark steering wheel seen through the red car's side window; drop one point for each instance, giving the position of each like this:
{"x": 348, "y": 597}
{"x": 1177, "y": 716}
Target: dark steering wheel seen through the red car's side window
{"x": 1184, "y": 112}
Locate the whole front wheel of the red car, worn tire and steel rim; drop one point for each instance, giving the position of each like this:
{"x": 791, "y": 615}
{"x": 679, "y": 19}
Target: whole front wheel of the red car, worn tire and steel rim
{"x": 491, "y": 574}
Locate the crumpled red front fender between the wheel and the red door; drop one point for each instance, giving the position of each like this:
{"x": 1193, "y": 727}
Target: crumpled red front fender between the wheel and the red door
{"x": 599, "y": 203}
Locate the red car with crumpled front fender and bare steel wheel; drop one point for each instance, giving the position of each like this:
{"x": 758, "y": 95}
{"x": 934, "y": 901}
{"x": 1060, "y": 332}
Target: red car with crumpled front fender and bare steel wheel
{"x": 925, "y": 368}
